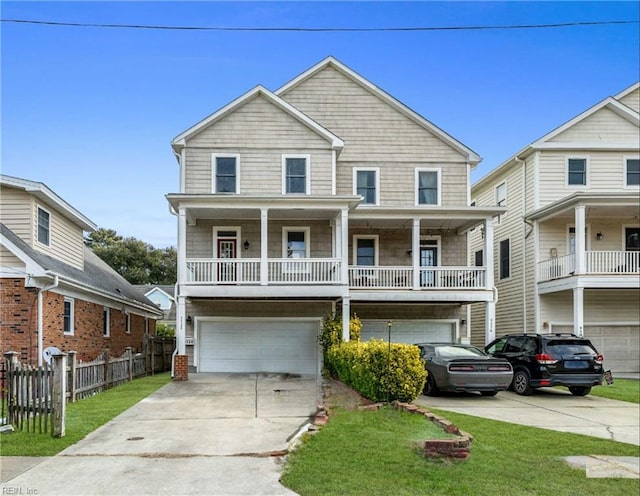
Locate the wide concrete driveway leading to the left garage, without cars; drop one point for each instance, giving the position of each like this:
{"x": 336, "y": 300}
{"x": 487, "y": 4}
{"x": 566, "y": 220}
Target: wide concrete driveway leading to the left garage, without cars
{"x": 215, "y": 434}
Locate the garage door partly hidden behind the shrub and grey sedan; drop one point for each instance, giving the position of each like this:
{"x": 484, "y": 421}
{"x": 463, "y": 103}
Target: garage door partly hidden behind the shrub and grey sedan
{"x": 409, "y": 331}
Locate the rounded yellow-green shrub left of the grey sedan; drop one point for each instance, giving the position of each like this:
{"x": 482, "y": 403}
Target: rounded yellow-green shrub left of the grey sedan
{"x": 377, "y": 372}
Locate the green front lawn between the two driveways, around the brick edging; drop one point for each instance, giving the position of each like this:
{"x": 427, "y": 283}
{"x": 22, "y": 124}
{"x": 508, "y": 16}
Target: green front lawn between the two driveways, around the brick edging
{"x": 365, "y": 453}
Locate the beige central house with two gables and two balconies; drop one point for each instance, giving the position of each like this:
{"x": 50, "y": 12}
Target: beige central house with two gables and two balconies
{"x": 327, "y": 194}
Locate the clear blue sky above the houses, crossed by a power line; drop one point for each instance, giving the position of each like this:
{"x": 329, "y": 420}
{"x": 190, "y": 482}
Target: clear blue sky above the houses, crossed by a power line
{"x": 91, "y": 111}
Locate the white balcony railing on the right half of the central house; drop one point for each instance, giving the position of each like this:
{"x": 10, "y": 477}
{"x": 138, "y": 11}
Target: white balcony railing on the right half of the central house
{"x": 376, "y": 277}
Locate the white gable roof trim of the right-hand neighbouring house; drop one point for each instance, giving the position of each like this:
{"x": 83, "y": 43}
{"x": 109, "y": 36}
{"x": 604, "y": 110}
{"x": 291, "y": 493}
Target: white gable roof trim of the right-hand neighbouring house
{"x": 541, "y": 143}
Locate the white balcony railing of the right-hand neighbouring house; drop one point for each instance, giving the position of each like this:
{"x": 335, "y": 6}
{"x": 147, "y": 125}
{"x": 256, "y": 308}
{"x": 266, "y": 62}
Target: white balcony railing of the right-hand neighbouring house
{"x": 596, "y": 262}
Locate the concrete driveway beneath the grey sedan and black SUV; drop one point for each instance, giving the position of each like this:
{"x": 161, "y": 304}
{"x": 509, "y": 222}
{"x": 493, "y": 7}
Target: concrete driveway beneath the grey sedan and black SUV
{"x": 550, "y": 408}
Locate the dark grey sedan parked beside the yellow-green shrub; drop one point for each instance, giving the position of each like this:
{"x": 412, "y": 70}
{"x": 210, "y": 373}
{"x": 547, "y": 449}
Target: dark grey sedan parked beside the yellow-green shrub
{"x": 456, "y": 367}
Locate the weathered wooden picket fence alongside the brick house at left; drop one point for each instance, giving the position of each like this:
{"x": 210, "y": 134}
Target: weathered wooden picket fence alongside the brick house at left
{"x": 29, "y": 393}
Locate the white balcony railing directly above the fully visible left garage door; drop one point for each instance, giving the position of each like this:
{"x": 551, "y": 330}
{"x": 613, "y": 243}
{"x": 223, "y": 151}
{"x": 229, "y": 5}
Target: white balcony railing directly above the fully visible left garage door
{"x": 248, "y": 271}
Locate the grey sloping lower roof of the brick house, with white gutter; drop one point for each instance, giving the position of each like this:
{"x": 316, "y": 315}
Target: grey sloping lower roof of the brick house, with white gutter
{"x": 97, "y": 276}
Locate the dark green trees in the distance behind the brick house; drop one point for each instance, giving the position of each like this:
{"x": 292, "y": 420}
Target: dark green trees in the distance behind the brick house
{"x": 138, "y": 262}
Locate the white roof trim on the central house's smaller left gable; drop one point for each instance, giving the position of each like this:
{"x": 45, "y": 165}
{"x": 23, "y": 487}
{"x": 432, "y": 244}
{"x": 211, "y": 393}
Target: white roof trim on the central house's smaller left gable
{"x": 180, "y": 140}
